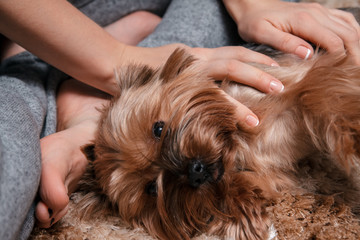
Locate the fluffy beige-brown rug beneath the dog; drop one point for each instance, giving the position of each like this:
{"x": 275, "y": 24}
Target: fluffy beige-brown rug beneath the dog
{"x": 294, "y": 217}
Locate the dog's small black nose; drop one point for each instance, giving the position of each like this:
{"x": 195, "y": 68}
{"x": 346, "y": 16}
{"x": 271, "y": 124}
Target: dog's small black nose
{"x": 198, "y": 173}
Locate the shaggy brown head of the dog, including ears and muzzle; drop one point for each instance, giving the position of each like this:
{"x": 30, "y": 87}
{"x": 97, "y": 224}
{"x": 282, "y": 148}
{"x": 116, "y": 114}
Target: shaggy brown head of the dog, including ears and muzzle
{"x": 165, "y": 155}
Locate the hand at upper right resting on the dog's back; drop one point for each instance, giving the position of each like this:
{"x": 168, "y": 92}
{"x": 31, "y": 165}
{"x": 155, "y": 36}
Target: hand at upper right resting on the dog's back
{"x": 288, "y": 26}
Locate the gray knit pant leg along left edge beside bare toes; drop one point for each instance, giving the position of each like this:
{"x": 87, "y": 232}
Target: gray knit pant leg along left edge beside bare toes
{"x": 27, "y": 113}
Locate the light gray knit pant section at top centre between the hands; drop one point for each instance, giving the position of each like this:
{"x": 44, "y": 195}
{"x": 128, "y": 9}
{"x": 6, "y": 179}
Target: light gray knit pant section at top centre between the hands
{"x": 200, "y": 23}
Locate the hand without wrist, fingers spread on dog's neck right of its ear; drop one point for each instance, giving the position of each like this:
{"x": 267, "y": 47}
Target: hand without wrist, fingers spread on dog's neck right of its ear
{"x": 232, "y": 63}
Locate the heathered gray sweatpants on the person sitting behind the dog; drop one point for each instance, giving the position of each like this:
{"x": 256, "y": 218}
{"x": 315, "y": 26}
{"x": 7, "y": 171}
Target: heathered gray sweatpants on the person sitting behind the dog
{"x": 28, "y": 88}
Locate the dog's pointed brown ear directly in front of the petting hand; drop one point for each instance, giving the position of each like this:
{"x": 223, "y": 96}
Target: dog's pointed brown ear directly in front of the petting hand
{"x": 178, "y": 61}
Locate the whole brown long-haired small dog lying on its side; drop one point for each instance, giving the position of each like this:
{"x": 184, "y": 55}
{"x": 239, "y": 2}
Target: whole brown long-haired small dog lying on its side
{"x": 171, "y": 156}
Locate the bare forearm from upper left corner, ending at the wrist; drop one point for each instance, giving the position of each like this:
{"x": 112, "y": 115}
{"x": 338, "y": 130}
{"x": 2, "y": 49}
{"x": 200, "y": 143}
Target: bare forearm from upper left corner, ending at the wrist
{"x": 47, "y": 29}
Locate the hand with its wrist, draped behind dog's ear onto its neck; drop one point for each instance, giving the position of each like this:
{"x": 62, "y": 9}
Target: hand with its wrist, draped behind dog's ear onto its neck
{"x": 222, "y": 63}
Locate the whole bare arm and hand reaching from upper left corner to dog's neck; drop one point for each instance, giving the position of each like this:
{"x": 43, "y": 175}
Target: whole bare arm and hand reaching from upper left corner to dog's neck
{"x": 64, "y": 37}
